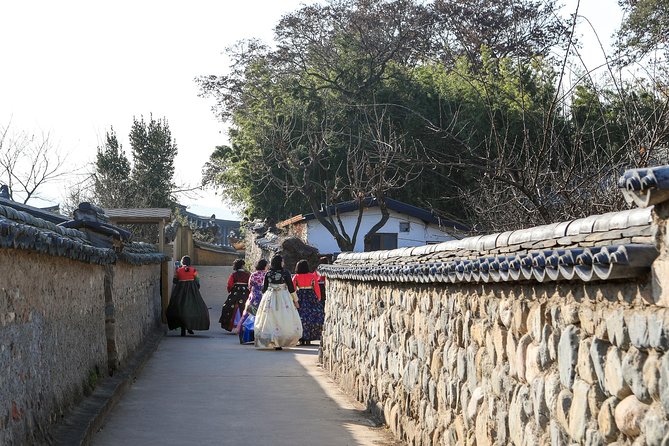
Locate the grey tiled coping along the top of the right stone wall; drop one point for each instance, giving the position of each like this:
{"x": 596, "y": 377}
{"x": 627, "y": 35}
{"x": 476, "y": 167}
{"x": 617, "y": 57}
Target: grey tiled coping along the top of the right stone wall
{"x": 599, "y": 247}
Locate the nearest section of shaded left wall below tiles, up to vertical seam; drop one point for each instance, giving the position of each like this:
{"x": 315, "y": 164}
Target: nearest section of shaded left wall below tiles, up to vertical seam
{"x": 52, "y": 328}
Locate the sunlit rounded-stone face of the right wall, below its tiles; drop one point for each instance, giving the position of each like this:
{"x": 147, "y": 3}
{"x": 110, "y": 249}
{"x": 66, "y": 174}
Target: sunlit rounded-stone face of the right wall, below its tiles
{"x": 491, "y": 364}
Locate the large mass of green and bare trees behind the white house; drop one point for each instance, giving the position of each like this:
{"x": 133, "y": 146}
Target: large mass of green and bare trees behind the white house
{"x": 454, "y": 106}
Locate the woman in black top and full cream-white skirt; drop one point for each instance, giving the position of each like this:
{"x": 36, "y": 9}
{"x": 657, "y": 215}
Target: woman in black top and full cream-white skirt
{"x": 277, "y": 322}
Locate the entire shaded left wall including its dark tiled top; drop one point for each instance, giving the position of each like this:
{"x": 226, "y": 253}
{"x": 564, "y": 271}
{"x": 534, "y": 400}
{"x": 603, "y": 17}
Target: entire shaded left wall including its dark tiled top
{"x": 71, "y": 313}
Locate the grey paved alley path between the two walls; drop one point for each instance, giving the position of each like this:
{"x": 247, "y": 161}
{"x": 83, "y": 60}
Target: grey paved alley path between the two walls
{"x": 207, "y": 389}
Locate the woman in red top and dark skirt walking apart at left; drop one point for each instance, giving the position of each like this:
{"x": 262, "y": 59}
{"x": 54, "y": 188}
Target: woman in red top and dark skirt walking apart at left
{"x": 187, "y": 309}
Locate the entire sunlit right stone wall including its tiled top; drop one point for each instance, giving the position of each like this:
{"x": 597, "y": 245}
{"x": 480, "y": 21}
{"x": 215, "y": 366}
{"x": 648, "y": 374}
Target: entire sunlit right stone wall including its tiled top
{"x": 449, "y": 352}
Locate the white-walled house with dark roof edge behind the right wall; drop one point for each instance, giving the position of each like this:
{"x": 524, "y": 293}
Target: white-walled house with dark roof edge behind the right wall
{"x": 407, "y": 226}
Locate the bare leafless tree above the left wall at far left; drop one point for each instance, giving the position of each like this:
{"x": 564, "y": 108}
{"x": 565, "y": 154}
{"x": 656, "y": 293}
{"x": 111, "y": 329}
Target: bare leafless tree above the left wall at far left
{"x": 28, "y": 162}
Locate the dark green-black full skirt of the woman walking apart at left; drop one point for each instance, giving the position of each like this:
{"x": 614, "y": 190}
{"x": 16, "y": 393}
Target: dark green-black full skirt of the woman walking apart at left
{"x": 187, "y": 308}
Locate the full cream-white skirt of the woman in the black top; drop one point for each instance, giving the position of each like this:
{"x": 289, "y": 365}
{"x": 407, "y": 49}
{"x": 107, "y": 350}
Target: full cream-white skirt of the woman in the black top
{"x": 277, "y": 322}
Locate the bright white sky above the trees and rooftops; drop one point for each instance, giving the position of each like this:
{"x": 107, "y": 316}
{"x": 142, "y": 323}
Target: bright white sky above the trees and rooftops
{"x": 75, "y": 68}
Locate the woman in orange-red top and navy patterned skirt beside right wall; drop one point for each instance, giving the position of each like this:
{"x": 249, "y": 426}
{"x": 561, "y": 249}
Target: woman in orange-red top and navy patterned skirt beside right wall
{"x": 311, "y": 308}
